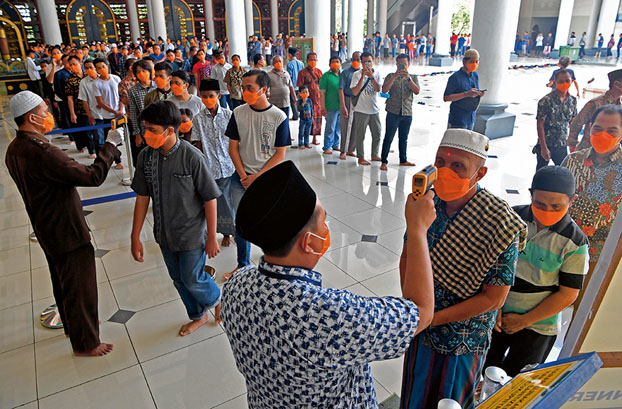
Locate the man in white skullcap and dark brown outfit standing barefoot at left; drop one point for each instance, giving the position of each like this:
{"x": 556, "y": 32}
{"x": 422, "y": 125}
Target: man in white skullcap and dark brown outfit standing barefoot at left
{"x": 46, "y": 178}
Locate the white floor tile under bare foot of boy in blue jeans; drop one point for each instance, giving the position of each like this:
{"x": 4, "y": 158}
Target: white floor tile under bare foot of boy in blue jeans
{"x": 154, "y": 331}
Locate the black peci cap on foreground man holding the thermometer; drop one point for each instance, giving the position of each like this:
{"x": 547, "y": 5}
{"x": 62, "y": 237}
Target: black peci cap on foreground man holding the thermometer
{"x": 275, "y": 207}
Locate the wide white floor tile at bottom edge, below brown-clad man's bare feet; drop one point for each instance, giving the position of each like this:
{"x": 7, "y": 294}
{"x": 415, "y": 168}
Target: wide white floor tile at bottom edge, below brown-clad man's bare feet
{"x": 123, "y": 389}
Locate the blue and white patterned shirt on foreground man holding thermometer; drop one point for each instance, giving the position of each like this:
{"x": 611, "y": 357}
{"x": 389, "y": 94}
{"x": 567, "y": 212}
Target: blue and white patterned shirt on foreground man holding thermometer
{"x": 303, "y": 346}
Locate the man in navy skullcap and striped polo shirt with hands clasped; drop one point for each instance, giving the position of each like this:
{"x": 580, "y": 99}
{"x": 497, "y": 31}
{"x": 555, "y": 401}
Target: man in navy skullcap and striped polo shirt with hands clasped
{"x": 549, "y": 275}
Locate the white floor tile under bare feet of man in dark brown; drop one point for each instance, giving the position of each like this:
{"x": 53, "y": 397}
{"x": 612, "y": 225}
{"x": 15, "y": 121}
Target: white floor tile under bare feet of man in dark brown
{"x": 58, "y": 369}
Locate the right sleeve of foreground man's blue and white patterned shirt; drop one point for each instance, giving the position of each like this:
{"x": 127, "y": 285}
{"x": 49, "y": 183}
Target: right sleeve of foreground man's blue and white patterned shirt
{"x": 351, "y": 329}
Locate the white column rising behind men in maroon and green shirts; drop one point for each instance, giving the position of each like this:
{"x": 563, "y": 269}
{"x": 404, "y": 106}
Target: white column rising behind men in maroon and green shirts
{"x": 318, "y": 27}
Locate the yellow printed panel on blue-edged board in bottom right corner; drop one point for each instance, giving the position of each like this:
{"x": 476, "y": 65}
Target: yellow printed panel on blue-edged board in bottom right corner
{"x": 526, "y": 388}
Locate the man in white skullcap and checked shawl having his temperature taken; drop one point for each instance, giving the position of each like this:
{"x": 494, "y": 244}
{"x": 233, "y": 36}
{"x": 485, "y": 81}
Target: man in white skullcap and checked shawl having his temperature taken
{"x": 474, "y": 245}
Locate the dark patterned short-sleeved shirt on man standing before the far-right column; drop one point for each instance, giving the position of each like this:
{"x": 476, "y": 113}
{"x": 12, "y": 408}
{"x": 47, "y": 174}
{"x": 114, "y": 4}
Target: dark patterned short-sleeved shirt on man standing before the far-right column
{"x": 556, "y": 116}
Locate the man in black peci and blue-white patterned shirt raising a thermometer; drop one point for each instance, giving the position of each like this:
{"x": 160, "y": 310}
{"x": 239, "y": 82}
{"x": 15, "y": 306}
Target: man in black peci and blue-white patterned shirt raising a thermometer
{"x": 296, "y": 343}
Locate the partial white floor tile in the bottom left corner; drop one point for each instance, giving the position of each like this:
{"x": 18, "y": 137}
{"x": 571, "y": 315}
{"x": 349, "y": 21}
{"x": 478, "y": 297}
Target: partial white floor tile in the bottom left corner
{"x": 17, "y": 371}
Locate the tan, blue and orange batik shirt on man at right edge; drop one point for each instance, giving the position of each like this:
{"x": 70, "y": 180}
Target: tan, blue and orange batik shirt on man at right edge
{"x": 599, "y": 191}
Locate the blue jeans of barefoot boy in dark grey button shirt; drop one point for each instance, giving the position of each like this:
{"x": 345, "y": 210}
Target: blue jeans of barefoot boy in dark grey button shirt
{"x": 197, "y": 289}
